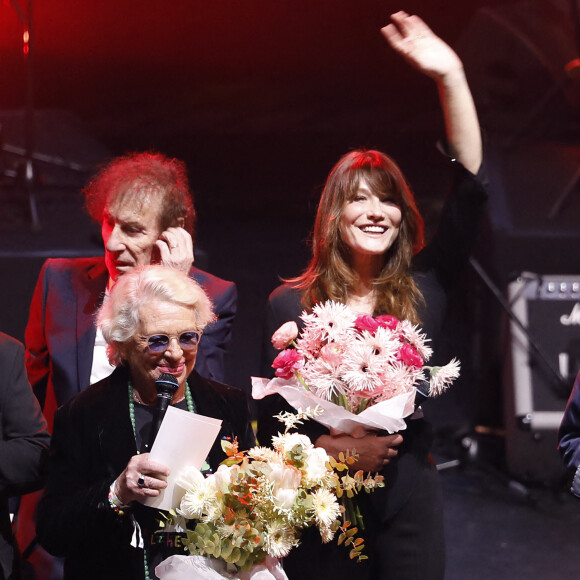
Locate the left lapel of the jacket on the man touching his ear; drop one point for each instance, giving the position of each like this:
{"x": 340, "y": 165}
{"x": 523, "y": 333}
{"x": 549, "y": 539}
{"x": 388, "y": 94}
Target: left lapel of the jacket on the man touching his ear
{"x": 90, "y": 292}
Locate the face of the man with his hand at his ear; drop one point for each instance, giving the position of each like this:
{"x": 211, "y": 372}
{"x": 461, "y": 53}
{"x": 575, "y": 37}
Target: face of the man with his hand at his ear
{"x": 130, "y": 228}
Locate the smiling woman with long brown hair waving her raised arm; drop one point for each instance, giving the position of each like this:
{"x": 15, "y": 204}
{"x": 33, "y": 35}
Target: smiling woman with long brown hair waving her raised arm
{"x": 368, "y": 253}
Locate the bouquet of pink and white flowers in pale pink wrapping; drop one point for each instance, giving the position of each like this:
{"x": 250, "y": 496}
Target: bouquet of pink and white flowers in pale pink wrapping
{"x": 363, "y": 371}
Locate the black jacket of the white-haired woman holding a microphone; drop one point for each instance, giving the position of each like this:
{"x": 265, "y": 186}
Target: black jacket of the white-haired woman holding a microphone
{"x": 92, "y": 443}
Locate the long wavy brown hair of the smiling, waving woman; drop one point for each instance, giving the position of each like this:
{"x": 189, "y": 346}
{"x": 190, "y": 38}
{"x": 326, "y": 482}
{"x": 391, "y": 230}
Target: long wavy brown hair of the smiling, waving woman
{"x": 330, "y": 274}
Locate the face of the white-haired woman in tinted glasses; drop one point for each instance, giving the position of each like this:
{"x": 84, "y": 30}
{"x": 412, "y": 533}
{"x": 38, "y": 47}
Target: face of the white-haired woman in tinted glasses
{"x": 160, "y": 317}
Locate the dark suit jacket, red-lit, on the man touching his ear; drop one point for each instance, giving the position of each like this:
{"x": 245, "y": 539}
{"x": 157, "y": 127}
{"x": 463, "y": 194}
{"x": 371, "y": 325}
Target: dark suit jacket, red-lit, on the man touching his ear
{"x": 60, "y": 334}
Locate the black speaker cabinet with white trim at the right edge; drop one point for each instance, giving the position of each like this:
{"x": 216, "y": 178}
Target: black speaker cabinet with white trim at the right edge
{"x": 537, "y": 384}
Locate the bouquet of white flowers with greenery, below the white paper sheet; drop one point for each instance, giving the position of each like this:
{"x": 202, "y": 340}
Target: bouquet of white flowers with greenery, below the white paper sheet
{"x": 254, "y": 507}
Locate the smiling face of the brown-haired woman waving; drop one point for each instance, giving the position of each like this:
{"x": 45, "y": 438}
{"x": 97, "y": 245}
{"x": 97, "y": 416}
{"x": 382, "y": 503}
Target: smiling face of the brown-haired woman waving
{"x": 369, "y": 223}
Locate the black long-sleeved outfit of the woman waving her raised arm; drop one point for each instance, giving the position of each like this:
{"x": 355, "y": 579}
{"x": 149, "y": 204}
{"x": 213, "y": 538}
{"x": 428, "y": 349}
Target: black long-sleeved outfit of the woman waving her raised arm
{"x": 408, "y": 478}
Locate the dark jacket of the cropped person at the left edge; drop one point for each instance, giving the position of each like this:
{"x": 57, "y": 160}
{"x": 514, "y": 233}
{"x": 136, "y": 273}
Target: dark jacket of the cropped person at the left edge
{"x": 23, "y": 445}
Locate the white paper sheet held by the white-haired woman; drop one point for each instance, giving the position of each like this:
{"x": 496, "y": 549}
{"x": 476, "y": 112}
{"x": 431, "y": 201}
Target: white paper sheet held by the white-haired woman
{"x": 183, "y": 439}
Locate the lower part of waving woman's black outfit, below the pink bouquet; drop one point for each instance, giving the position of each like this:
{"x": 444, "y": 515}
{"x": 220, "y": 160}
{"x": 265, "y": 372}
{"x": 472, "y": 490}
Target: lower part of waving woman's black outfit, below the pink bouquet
{"x": 404, "y": 536}
